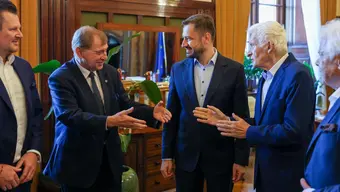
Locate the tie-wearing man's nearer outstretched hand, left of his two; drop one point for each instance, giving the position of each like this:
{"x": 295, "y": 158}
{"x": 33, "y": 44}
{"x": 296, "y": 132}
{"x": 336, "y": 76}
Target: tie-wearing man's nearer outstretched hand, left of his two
{"x": 122, "y": 119}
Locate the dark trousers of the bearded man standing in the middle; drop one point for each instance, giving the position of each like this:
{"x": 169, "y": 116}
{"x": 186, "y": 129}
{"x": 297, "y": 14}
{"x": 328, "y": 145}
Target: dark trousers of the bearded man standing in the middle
{"x": 194, "y": 181}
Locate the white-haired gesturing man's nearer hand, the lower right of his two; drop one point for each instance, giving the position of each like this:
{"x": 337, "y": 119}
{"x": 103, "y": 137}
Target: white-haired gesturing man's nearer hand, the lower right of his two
{"x": 237, "y": 128}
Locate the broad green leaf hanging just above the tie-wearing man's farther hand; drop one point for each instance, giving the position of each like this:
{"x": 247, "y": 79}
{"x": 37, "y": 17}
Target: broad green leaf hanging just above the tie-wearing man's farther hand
{"x": 151, "y": 89}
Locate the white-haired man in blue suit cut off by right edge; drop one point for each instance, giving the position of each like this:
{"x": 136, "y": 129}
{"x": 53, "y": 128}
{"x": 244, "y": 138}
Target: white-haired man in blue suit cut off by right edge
{"x": 323, "y": 156}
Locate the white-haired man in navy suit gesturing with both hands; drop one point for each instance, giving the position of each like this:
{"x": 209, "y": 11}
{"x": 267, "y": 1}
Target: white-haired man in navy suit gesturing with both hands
{"x": 284, "y": 112}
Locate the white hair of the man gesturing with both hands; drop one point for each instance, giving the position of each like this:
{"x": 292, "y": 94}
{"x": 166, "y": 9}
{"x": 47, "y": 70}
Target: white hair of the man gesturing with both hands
{"x": 269, "y": 31}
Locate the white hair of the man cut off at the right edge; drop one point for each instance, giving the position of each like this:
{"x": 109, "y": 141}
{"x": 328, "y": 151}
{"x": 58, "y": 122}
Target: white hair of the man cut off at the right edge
{"x": 330, "y": 38}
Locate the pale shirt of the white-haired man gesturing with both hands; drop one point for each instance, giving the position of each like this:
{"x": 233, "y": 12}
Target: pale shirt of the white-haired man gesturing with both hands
{"x": 269, "y": 76}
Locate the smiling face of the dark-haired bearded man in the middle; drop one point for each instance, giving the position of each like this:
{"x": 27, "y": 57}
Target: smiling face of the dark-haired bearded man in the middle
{"x": 192, "y": 42}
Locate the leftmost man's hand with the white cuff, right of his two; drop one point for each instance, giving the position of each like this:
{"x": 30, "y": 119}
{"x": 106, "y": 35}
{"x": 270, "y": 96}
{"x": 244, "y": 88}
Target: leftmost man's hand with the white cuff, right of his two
{"x": 29, "y": 164}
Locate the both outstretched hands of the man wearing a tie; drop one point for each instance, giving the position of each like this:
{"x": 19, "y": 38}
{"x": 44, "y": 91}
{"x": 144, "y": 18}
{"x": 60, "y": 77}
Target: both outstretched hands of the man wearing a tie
{"x": 122, "y": 119}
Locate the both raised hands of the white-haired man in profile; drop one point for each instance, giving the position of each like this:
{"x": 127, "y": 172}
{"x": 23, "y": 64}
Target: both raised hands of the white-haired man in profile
{"x": 213, "y": 116}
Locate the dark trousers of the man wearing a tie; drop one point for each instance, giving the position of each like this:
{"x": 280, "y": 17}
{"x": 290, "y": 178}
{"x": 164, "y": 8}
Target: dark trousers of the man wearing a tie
{"x": 105, "y": 181}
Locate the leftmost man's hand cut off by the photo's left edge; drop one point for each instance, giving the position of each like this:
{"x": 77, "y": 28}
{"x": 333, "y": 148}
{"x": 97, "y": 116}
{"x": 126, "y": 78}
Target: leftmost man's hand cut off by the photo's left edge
{"x": 9, "y": 178}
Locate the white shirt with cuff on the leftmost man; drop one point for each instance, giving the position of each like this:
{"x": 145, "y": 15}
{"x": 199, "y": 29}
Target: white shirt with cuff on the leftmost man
{"x": 16, "y": 94}
